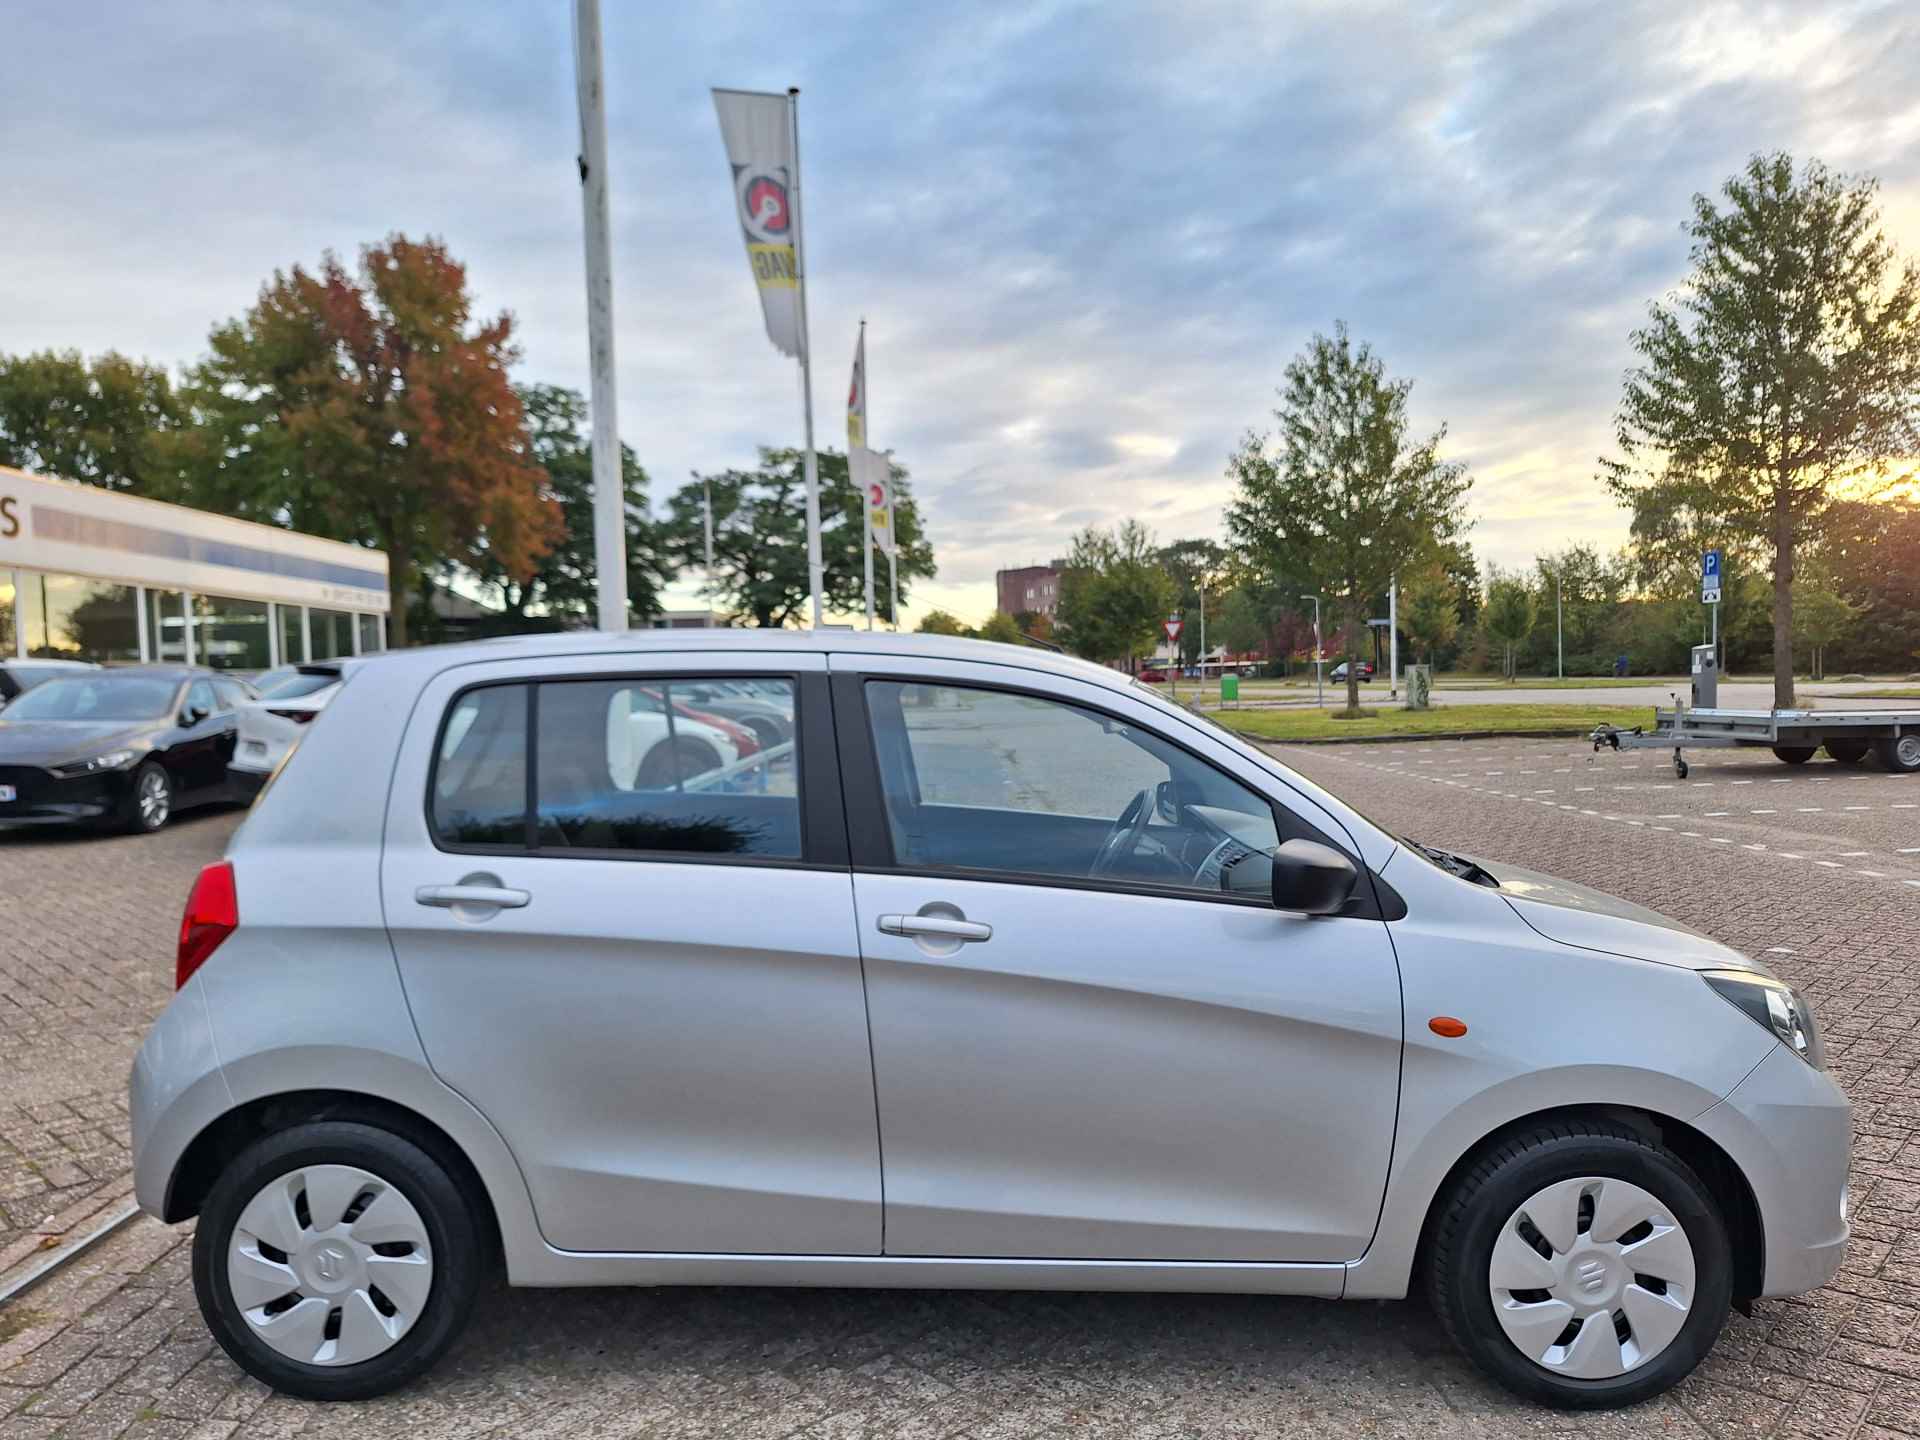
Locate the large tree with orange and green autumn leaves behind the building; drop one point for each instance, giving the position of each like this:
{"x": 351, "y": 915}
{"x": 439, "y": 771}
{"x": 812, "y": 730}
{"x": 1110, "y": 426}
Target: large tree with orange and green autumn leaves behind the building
{"x": 373, "y": 408}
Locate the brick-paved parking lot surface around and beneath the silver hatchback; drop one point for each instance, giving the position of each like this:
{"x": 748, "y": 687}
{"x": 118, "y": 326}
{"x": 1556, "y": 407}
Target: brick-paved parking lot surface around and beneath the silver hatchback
{"x": 114, "y": 1347}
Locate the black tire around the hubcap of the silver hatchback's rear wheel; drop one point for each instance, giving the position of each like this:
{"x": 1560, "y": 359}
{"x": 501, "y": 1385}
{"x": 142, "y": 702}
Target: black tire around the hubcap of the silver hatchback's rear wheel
{"x": 421, "y": 1180}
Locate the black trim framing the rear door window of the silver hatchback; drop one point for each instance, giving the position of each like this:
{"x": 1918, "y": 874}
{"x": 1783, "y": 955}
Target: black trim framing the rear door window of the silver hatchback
{"x": 823, "y": 817}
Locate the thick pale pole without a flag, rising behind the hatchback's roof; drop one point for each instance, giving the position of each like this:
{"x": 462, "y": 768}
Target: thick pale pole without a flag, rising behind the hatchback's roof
{"x": 610, "y": 492}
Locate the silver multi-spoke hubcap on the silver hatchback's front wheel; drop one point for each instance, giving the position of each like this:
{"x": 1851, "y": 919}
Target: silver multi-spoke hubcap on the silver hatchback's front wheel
{"x": 1593, "y": 1278}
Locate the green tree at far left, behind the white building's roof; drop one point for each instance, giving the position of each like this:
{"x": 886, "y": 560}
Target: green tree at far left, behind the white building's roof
{"x": 97, "y": 421}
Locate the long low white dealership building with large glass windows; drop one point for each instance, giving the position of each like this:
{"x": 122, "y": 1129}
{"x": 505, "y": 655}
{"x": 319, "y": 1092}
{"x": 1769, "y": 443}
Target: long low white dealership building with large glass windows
{"x": 95, "y": 575}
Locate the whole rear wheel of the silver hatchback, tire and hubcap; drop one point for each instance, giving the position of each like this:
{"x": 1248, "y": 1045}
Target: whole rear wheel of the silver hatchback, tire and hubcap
{"x": 335, "y": 1260}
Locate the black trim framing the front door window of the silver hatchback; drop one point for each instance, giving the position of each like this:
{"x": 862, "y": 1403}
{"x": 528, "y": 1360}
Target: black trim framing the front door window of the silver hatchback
{"x": 873, "y": 834}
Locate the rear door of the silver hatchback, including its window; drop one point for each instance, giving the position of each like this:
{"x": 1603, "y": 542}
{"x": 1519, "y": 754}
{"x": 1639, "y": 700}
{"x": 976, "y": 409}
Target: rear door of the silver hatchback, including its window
{"x": 640, "y": 963}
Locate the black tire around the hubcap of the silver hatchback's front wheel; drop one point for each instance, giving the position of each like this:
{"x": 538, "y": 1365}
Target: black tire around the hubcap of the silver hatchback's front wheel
{"x": 1468, "y": 1222}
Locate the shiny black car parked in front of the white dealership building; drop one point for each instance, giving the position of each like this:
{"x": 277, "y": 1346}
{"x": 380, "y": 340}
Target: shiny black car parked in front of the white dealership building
{"x": 118, "y": 748}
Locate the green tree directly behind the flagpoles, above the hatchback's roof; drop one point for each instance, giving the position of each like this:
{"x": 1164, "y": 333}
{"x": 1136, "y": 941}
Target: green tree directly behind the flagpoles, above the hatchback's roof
{"x": 761, "y": 539}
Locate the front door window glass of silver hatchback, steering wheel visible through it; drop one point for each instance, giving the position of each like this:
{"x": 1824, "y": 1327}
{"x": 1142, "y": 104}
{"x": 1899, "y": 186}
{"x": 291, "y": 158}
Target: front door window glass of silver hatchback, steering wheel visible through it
{"x": 994, "y": 780}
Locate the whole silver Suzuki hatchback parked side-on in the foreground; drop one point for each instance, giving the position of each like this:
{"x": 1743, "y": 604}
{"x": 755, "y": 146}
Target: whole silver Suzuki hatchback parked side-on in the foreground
{"x": 980, "y": 969}
